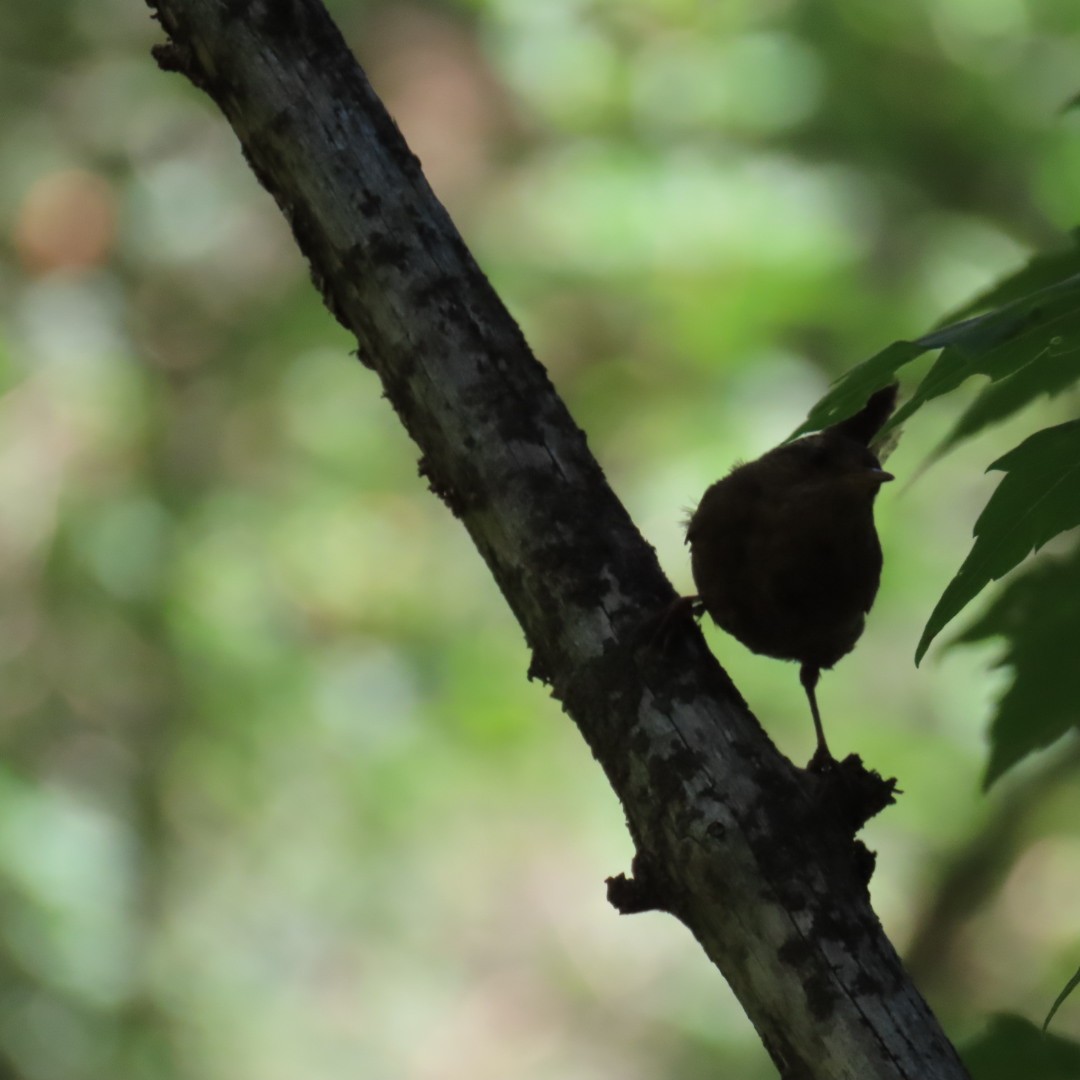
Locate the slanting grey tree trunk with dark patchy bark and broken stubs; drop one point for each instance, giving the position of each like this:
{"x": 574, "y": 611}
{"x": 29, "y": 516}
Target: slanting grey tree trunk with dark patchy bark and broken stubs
{"x": 755, "y": 857}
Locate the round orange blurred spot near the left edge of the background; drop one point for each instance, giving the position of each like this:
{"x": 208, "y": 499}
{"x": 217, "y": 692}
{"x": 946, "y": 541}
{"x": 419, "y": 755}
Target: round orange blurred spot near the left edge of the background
{"x": 67, "y": 221}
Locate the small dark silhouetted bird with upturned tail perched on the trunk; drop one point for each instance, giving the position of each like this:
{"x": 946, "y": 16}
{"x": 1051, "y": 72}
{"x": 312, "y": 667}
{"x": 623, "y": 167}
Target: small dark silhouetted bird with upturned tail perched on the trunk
{"x": 785, "y": 552}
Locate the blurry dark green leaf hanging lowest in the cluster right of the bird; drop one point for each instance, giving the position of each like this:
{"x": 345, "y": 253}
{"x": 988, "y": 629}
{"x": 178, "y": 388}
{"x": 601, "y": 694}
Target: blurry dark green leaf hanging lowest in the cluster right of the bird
{"x": 1038, "y": 615}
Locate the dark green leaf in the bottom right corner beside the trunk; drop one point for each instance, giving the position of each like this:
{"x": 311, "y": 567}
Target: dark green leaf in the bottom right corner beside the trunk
{"x": 1015, "y": 1049}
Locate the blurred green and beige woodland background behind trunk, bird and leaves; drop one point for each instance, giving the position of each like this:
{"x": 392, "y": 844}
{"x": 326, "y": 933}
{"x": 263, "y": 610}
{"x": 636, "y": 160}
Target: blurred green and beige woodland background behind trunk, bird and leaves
{"x": 277, "y": 800}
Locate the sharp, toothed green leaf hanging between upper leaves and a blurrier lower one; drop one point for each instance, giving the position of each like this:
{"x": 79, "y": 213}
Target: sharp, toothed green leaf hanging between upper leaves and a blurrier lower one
{"x": 1038, "y": 498}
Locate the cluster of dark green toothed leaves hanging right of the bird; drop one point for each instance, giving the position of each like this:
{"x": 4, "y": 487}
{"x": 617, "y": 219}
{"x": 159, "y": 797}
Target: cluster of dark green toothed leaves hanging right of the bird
{"x": 1023, "y": 336}
